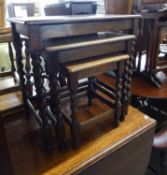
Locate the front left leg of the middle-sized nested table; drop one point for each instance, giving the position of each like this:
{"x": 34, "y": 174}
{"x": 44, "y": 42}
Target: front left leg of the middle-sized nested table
{"x": 55, "y": 104}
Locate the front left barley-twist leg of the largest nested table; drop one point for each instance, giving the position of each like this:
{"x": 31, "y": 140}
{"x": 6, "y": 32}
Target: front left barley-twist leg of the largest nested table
{"x": 42, "y": 103}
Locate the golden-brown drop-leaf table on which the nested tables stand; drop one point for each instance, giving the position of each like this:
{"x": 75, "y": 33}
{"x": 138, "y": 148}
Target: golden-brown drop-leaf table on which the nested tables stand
{"x": 28, "y": 159}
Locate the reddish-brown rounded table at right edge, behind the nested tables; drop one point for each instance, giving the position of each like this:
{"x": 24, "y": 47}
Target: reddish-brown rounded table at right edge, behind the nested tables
{"x": 149, "y": 98}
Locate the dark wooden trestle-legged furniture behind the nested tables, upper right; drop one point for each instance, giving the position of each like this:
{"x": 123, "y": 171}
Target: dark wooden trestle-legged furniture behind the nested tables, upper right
{"x": 154, "y": 24}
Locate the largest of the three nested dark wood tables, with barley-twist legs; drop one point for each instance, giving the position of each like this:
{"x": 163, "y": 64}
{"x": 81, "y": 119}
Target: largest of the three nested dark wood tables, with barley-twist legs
{"x": 40, "y": 29}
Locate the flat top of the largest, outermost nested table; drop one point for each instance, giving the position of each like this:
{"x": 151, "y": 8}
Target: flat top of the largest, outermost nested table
{"x": 69, "y": 19}
